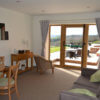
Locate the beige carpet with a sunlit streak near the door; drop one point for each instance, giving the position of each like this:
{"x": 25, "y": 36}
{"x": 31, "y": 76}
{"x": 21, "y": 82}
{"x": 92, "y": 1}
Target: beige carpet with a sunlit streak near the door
{"x": 33, "y": 86}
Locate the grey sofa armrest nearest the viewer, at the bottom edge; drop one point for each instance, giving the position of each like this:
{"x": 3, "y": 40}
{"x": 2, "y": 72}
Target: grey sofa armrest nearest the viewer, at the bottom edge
{"x": 74, "y": 96}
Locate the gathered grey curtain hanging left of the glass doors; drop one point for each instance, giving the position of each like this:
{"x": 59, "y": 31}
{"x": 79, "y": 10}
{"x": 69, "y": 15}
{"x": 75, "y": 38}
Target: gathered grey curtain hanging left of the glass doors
{"x": 44, "y": 31}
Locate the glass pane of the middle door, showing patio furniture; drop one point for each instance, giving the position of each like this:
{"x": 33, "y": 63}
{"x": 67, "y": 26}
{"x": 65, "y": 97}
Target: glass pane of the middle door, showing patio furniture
{"x": 73, "y": 49}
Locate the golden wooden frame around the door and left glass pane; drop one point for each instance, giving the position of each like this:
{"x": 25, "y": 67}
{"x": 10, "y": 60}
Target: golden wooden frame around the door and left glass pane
{"x": 63, "y": 38}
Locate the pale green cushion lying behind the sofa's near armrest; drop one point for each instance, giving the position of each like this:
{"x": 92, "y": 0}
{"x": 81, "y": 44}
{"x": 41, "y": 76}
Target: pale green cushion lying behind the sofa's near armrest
{"x": 83, "y": 91}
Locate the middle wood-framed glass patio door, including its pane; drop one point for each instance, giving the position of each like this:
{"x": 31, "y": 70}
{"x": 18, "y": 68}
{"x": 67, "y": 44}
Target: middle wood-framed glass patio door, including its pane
{"x": 74, "y": 46}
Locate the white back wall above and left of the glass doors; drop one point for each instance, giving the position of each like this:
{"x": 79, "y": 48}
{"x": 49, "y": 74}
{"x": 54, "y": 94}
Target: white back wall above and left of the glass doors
{"x": 79, "y": 18}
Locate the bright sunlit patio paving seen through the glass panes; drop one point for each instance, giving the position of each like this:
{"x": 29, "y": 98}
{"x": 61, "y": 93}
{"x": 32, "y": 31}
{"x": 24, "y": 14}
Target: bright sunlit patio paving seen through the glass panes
{"x": 92, "y": 58}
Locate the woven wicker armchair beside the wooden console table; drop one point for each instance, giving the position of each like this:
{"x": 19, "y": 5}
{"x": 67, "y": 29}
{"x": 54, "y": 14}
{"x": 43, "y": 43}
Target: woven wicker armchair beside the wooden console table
{"x": 43, "y": 64}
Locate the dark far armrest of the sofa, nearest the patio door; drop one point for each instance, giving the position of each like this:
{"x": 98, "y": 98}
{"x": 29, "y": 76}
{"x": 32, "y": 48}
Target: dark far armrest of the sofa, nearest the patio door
{"x": 87, "y": 72}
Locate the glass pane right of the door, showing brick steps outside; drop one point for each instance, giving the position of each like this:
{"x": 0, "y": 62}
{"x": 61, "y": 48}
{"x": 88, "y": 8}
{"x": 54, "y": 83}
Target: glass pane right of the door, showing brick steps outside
{"x": 93, "y": 47}
